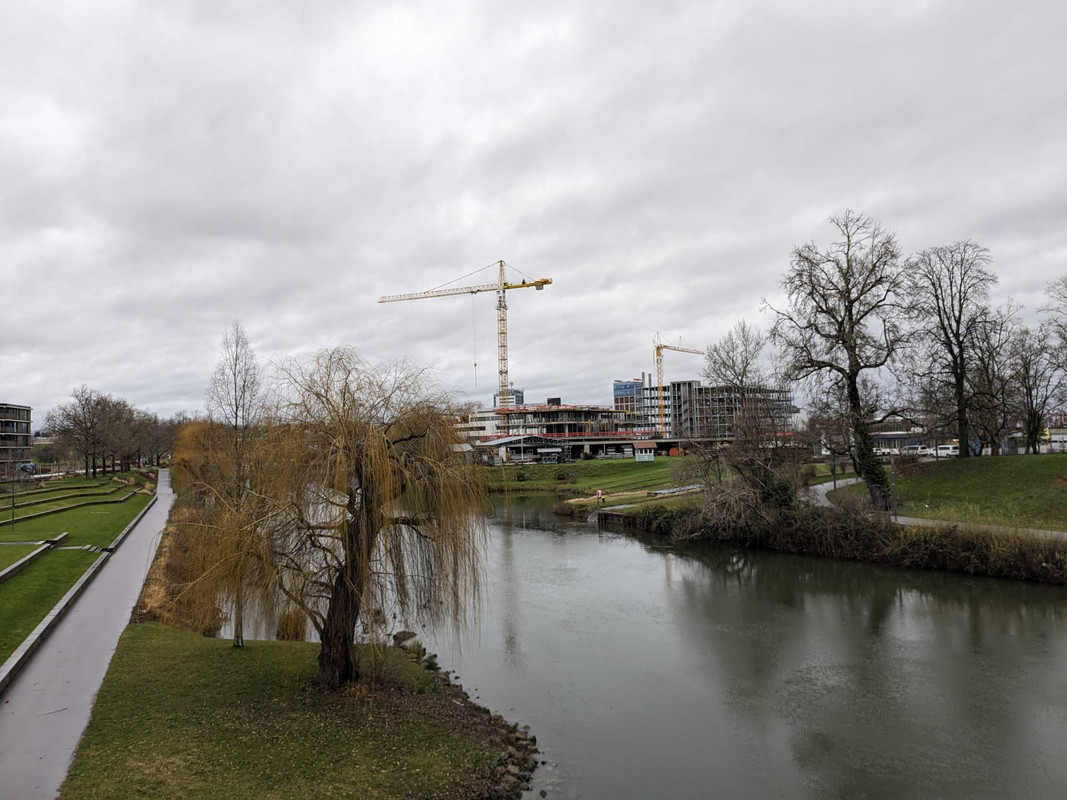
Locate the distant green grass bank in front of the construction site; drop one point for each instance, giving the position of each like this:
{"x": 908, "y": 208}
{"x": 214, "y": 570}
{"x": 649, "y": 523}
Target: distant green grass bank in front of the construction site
{"x": 583, "y": 477}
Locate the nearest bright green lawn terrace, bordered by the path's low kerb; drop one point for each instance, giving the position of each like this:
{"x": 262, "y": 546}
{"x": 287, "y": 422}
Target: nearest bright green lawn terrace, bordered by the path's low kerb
{"x": 27, "y": 598}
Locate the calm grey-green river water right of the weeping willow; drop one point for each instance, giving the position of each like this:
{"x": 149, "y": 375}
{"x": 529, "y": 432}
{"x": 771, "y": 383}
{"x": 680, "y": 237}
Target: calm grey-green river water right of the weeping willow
{"x": 652, "y": 673}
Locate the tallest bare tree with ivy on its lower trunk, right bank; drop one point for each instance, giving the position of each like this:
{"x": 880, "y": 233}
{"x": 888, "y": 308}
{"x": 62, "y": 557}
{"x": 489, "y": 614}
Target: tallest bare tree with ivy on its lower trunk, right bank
{"x": 845, "y": 321}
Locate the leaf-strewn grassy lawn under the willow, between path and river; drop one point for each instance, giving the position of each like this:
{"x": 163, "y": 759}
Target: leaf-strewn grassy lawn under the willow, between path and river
{"x": 183, "y": 716}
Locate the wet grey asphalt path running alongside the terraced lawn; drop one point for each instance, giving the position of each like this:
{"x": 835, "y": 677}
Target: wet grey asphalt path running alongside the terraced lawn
{"x": 45, "y": 710}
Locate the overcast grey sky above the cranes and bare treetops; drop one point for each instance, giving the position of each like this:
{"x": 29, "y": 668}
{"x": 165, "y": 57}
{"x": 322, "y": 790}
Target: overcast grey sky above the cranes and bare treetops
{"x": 169, "y": 168}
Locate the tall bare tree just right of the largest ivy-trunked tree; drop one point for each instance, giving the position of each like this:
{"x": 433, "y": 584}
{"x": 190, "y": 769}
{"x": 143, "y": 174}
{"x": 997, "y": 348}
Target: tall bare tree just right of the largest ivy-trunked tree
{"x": 949, "y": 294}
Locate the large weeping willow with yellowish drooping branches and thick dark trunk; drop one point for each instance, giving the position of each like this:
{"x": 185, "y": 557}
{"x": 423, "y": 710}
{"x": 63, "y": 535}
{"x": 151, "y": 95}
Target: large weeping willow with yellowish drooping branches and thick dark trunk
{"x": 374, "y": 519}
